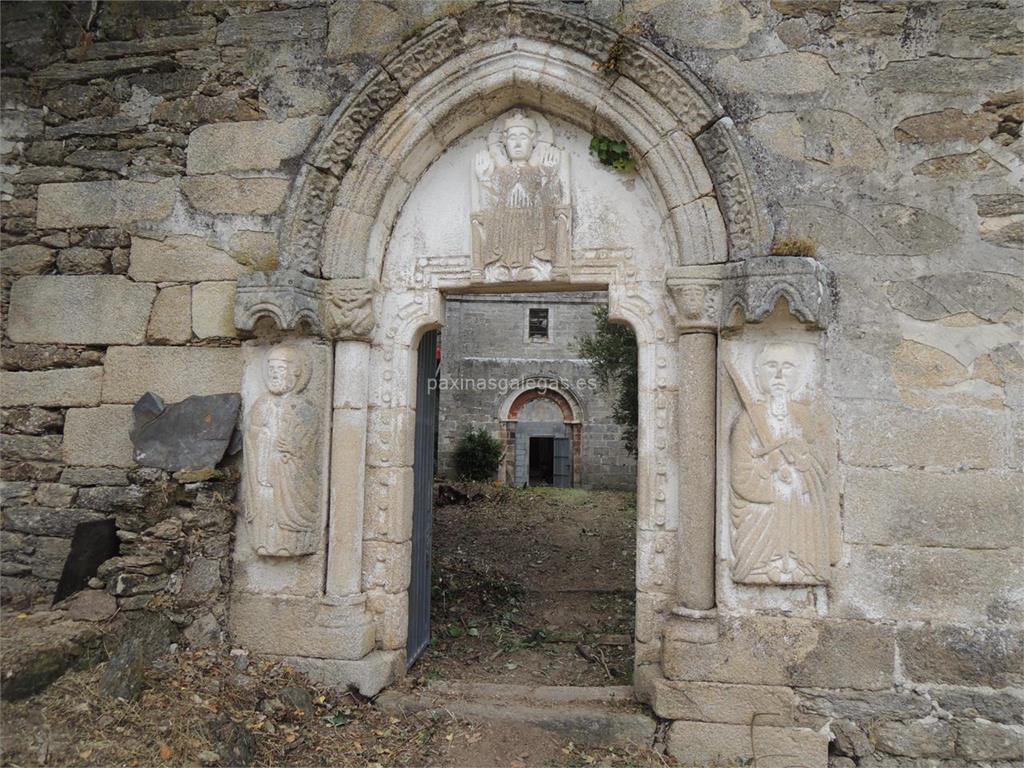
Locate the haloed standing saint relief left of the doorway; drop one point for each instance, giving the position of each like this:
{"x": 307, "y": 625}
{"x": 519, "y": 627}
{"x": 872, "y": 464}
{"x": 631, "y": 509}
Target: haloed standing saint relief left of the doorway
{"x": 282, "y": 450}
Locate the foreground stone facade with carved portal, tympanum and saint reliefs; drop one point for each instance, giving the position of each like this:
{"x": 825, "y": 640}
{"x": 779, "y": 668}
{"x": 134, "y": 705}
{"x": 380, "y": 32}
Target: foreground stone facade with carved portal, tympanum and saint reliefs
{"x": 819, "y": 253}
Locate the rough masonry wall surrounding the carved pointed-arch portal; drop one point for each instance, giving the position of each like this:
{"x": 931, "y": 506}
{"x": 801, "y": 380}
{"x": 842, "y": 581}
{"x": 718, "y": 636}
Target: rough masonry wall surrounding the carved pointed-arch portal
{"x": 148, "y": 152}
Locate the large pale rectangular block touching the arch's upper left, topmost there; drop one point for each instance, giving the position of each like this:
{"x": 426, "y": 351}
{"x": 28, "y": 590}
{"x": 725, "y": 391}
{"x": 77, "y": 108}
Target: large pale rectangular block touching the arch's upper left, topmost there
{"x": 249, "y": 146}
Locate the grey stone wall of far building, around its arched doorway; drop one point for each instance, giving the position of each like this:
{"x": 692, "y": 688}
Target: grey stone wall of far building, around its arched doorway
{"x": 485, "y": 339}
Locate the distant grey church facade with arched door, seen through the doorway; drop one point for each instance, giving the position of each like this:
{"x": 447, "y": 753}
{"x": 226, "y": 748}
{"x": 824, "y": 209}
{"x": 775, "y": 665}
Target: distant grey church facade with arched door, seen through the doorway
{"x": 510, "y": 365}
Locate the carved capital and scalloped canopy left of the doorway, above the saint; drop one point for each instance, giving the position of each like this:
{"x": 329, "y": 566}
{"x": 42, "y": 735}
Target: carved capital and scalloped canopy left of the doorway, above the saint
{"x": 338, "y": 310}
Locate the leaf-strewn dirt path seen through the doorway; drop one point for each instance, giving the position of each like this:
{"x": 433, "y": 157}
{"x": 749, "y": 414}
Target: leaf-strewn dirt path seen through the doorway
{"x": 534, "y": 586}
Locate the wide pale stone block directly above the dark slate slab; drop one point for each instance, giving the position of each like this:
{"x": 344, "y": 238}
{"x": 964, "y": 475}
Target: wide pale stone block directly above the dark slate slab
{"x": 174, "y": 373}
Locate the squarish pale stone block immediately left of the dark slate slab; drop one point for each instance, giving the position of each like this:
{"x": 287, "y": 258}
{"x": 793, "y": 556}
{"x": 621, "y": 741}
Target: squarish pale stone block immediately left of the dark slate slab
{"x": 99, "y": 438}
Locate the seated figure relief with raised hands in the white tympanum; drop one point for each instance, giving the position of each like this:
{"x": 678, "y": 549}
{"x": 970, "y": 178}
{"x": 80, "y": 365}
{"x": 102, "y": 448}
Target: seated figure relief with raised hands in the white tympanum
{"x": 522, "y": 211}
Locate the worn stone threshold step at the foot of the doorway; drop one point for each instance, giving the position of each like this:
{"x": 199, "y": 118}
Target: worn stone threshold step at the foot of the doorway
{"x": 593, "y": 717}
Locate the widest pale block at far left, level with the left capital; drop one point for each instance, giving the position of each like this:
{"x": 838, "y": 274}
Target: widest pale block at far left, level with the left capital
{"x": 88, "y": 310}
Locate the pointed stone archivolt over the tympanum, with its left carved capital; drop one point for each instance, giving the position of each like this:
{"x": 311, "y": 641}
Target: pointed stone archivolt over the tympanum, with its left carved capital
{"x": 464, "y": 71}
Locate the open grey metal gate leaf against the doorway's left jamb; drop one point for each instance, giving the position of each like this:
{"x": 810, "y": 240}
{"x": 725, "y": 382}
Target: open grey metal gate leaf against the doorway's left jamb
{"x": 423, "y": 478}
